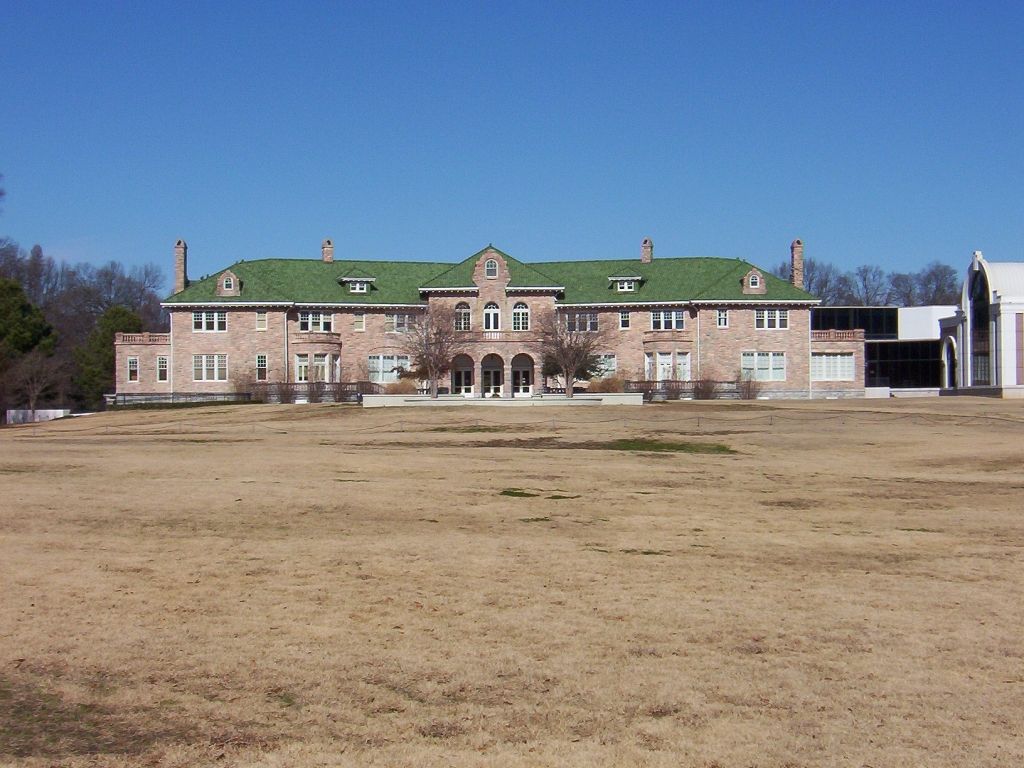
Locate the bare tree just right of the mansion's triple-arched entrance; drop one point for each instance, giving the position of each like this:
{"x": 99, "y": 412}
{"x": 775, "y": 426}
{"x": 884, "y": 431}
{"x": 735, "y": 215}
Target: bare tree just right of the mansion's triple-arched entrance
{"x": 570, "y": 343}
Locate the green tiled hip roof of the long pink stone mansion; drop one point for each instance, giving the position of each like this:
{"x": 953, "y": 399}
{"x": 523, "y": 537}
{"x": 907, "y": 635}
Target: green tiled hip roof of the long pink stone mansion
{"x": 664, "y": 280}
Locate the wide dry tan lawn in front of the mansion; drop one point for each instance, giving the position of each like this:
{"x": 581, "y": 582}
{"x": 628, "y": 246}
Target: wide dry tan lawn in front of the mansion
{"x": 321, "y": 585}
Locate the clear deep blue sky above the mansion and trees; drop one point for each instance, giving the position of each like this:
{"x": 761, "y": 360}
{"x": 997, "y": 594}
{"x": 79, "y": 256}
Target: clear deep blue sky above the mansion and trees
{"x": 887, "y": 134}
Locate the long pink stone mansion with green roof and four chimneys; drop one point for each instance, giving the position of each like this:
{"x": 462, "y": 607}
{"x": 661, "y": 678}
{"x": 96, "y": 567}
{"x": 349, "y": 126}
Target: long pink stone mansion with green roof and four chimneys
{"x": 327, "y": 320}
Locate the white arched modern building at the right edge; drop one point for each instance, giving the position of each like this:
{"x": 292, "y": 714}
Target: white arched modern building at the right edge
{"x": 984, "y": 340}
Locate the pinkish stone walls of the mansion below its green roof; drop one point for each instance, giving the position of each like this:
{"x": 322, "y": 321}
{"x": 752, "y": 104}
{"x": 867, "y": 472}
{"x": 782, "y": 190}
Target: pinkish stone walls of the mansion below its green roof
{"x": 716, "y": 340}
